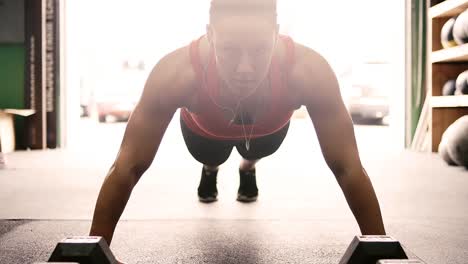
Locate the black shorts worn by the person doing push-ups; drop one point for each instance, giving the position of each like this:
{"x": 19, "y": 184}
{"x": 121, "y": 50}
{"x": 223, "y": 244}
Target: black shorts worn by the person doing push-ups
{"x": 214, "y": 152}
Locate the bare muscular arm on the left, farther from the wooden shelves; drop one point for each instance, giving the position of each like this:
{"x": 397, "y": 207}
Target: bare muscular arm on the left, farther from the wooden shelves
{"x": 164, "y": 92}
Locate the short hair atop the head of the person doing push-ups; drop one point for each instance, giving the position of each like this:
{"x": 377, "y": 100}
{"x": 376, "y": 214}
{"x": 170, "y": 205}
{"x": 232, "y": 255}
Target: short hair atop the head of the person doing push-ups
{"x": 263, "y": 8}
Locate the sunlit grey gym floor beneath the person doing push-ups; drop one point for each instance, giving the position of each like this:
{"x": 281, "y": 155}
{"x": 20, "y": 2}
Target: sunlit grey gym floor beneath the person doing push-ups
{"x": 301, "y": 215}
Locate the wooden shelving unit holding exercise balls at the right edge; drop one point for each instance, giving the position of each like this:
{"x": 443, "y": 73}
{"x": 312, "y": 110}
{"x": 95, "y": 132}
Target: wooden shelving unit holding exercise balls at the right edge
{"x": 443, "y": 65}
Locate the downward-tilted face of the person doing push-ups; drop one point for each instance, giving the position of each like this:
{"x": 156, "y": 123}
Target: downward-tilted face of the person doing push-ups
{"x": 243, "y": 47}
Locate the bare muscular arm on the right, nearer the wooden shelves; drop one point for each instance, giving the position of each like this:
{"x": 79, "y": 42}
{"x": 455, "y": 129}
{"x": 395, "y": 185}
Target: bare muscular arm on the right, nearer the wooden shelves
{"x": 320, "y": 92}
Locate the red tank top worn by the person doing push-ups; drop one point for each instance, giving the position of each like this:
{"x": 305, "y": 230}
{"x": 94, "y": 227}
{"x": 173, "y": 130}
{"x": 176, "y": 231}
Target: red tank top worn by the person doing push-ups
{"x": 209, "y": 120}
